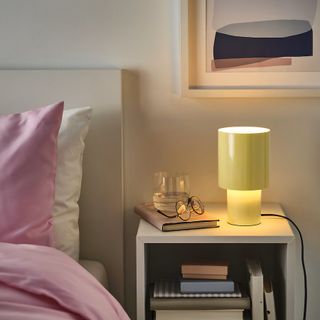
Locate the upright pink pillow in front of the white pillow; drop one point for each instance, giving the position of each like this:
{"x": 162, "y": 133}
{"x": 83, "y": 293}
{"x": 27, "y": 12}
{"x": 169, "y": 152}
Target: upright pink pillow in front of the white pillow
{"x": 28, "y": 143}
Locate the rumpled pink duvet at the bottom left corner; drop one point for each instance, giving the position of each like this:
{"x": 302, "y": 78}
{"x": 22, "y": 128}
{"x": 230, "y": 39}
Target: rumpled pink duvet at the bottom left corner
{"x": 42, "y": 283}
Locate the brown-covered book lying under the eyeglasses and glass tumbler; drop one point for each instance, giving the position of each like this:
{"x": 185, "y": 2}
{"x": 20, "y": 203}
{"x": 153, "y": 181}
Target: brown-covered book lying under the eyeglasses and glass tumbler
{"x": 148, "y": 212}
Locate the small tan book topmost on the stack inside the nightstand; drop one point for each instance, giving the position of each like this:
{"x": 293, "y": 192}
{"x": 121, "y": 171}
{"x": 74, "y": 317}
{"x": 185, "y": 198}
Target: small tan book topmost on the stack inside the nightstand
{"x": 213, "y": 268}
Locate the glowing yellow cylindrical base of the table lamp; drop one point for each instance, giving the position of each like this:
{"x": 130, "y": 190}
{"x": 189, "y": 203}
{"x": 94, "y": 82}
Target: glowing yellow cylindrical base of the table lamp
{"x": 244, "y": 207}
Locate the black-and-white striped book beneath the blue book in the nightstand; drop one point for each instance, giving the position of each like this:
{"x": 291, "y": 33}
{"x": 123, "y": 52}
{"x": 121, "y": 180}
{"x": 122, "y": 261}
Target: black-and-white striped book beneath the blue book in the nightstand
{"x": 171, "y": 289}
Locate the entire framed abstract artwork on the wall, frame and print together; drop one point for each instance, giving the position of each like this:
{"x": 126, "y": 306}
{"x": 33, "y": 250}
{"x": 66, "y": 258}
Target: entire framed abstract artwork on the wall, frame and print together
{"x": 232, "y": 48}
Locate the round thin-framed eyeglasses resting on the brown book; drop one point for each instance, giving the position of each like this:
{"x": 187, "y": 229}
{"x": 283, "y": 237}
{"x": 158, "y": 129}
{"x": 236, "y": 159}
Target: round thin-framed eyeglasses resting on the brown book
{"x": 185, "y": 209}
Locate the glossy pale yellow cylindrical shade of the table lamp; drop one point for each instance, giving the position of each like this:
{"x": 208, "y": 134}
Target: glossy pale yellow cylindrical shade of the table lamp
{"x": 243, "y": 158}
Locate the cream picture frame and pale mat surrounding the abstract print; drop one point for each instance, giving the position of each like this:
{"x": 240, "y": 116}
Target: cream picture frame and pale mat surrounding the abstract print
{"x": 196, "y": 81}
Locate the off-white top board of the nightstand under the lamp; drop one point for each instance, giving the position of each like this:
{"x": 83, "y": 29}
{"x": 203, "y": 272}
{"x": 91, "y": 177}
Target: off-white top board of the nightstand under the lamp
{"x": 271, "y": 230}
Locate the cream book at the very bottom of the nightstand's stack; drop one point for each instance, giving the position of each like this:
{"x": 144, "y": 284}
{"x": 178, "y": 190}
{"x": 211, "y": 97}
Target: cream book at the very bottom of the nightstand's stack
{"x": 233, "y": 314}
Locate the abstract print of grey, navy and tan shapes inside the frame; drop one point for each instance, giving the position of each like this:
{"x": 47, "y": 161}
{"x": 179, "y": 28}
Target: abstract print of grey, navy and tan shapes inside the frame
{"x": 259, "y": 33}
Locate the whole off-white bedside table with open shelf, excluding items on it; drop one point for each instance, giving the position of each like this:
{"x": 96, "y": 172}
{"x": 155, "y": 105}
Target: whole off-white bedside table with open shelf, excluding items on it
{"x": 159, "y": 255}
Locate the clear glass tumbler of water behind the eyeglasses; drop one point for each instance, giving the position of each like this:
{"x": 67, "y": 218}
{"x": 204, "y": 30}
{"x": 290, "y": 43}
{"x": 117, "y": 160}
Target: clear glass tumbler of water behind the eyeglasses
{"x": 170, "y": 188}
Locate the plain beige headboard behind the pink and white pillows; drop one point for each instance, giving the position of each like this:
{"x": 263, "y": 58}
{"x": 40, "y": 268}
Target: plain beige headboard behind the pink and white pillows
{"x": 101, "y": 204}
